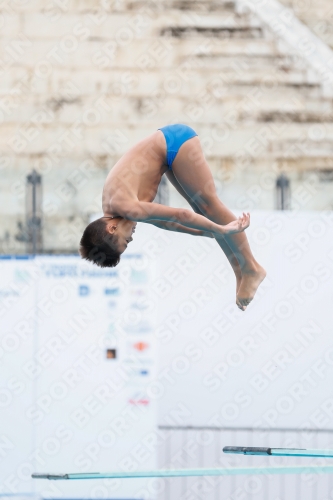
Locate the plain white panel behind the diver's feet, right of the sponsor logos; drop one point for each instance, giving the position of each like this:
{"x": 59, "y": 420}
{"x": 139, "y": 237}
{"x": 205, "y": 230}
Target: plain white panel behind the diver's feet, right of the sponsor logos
{"x": 268, "y": 366}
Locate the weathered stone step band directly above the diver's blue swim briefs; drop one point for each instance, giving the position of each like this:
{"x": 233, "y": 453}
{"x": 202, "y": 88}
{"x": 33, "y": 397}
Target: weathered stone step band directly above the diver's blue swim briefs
{"x": 217, "y": 104}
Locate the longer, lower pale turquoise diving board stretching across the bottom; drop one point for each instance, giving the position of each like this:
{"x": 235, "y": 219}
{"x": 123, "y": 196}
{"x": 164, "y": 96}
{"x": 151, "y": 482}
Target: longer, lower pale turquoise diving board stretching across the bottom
{"x": 228, "y": 471}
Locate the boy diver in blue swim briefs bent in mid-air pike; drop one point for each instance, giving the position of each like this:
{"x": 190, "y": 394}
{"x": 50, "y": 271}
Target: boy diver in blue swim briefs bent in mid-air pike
{"x": 131, "y": 187}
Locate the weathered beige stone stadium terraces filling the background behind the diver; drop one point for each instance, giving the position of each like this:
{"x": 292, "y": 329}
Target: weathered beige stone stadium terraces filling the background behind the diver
{"x": 81, "y": 81}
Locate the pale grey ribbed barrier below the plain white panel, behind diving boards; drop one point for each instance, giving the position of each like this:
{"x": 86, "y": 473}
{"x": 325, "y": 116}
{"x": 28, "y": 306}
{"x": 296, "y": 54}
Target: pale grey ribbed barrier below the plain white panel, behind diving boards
{"x": 184, "y": 447}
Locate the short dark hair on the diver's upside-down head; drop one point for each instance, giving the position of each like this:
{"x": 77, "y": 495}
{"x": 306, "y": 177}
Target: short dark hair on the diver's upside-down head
{"x": 98, "y": 246}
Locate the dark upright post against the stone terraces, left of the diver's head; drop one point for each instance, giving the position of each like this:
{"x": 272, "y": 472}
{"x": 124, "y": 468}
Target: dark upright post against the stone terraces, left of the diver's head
{"x": 34, "y": 213}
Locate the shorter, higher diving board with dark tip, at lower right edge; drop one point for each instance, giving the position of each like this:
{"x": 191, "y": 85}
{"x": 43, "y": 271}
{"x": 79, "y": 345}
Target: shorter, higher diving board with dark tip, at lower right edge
{"x": 278, "y": 452}
